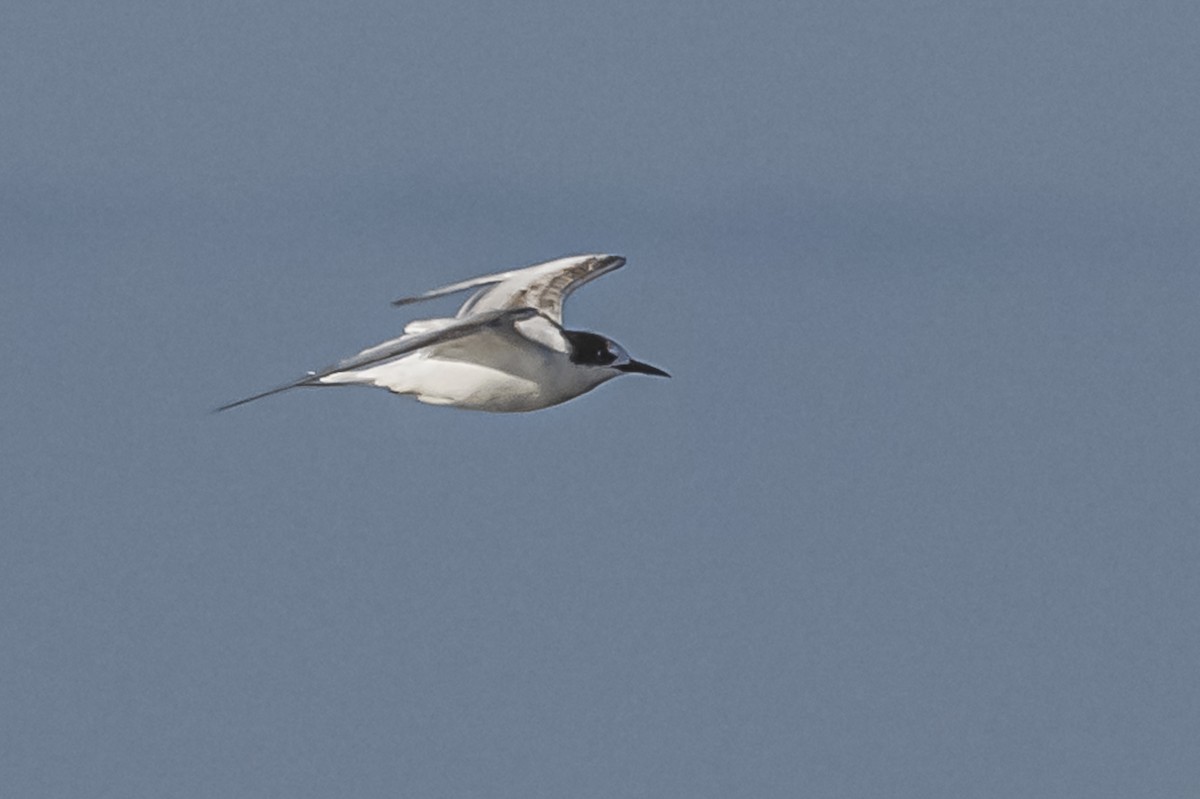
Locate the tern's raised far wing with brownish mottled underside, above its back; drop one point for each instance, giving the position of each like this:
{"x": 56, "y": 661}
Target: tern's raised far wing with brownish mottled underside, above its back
{"x": 543, "y": 287}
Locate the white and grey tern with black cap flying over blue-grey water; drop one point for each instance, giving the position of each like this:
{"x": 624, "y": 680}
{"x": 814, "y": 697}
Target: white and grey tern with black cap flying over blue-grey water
{"x": 505, "y": 352}
